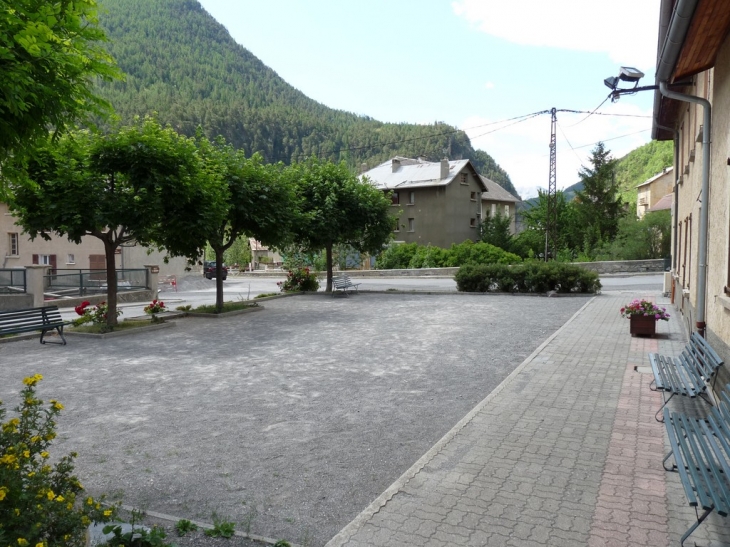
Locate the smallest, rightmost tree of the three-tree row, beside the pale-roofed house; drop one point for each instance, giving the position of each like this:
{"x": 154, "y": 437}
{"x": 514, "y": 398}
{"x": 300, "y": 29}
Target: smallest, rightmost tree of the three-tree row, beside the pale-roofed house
{"x": 339, "y": 208}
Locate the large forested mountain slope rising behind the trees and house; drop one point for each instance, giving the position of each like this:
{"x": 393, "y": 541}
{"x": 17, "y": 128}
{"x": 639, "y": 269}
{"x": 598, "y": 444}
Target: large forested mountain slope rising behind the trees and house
{"x": 182, "y": 64}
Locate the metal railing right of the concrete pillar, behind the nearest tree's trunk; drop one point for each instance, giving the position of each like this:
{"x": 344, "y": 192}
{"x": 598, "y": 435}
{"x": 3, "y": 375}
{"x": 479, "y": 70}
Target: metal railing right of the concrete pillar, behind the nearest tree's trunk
{"x": 66, "y": 283}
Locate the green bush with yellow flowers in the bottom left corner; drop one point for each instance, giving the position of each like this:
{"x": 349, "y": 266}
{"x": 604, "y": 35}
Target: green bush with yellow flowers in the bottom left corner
{"x": 41, "y": 505}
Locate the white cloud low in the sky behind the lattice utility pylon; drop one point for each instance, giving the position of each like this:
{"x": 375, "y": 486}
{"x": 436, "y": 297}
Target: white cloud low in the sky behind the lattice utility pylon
{"x": 523, "y": 149}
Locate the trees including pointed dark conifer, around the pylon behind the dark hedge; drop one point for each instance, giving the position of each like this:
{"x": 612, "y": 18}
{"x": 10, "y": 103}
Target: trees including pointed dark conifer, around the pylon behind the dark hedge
{"x": 596, "y": 225}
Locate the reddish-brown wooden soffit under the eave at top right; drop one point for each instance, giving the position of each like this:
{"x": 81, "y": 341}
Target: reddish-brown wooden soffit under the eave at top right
{"x": 706, "y": 34}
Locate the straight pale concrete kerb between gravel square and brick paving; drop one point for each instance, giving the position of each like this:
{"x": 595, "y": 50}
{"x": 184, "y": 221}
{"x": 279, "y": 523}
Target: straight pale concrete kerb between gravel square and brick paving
{"x": 358, "y": 522}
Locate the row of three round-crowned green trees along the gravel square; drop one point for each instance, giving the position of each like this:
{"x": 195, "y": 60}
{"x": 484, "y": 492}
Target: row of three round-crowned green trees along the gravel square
{"x": 146, "y": 183}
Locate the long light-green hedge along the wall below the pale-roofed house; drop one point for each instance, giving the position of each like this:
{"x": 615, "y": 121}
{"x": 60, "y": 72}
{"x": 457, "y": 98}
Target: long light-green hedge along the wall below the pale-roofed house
{"x": 413, "y": 255}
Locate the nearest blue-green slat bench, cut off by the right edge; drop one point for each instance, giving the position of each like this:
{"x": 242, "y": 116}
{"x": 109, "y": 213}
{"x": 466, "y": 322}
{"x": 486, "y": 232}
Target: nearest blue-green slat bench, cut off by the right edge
{"x": 701, "y": 452}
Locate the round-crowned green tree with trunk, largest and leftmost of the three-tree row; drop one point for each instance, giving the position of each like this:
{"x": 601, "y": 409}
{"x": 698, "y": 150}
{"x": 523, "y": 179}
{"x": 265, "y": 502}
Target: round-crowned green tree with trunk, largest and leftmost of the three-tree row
{"x": 115, "y": 187}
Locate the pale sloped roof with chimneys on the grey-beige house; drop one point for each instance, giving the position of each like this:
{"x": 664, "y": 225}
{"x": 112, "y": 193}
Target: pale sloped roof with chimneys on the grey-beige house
{"x": 412, "y": 173}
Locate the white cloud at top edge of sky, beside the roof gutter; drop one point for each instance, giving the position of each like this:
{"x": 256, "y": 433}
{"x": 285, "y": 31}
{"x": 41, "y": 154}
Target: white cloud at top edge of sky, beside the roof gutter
{"x": 626, "y": 30}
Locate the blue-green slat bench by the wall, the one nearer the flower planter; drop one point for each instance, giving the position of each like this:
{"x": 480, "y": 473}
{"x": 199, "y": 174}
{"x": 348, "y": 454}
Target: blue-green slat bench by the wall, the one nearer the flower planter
{"x": 689, "y": 374}
